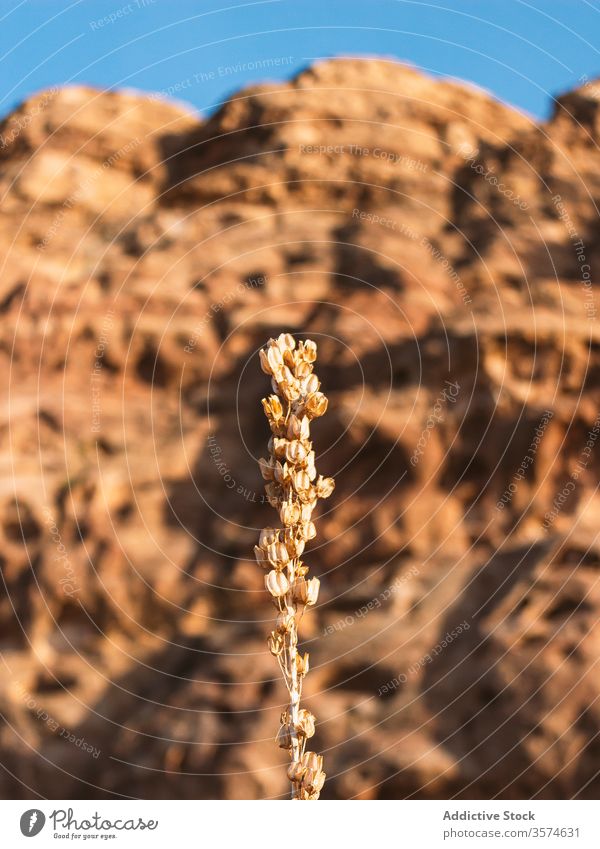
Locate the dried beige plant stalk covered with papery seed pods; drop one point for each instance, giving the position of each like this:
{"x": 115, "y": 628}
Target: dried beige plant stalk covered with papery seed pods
{"x": 293, "y": 489}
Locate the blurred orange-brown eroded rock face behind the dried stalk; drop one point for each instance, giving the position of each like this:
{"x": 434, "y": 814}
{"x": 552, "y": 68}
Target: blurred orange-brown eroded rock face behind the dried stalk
{"x": 438, "y": 246}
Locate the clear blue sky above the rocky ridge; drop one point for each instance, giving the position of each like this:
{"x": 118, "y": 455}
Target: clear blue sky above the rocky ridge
{"x": 522, "y": 51}
